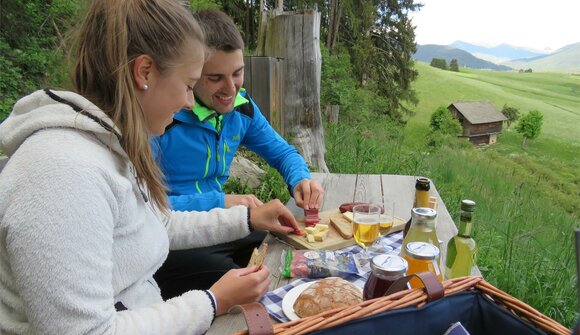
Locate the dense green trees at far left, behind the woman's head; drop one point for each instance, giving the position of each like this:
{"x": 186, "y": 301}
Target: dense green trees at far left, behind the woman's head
{"x": 32, "y": 47}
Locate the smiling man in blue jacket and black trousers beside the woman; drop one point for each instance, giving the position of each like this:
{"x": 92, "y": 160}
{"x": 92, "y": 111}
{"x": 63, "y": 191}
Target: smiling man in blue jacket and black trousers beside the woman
{"x": 197, "y": 149}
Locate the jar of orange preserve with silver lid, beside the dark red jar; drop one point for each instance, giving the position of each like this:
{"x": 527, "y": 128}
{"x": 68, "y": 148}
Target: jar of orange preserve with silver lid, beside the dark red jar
{"x": 421, "y": 257}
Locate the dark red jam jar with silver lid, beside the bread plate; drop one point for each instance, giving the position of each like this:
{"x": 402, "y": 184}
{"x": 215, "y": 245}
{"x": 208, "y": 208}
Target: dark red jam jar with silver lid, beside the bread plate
{"x": 386, "y": 269}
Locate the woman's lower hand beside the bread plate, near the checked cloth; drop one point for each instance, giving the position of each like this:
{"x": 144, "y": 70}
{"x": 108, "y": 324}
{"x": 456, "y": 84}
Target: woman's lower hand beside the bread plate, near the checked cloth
{"x": 240, "y": 286}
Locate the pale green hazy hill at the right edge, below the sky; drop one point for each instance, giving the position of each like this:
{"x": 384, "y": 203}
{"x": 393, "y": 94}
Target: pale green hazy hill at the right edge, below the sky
{"x": 566, "y": 59}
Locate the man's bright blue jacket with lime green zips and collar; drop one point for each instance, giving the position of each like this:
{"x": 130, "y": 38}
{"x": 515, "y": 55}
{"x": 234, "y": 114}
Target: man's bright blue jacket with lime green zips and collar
{"x": 197, "y": 149}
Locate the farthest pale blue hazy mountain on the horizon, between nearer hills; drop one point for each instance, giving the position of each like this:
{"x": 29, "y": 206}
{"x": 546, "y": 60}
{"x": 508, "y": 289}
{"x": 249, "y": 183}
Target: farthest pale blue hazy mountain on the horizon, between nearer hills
{"x": 497, "y": 54}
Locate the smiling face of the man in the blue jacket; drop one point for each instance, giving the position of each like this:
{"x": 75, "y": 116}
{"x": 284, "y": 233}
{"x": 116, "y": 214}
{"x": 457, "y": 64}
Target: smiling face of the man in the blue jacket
{"x": 221, "y": 79}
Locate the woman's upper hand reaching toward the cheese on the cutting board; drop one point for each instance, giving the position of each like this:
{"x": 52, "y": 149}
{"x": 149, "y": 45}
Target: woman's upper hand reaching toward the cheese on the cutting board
{"x": 273, "y": 216}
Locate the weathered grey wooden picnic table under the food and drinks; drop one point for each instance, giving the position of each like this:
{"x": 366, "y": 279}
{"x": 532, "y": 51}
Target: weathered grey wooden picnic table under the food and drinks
{"x": 341, "y": 188}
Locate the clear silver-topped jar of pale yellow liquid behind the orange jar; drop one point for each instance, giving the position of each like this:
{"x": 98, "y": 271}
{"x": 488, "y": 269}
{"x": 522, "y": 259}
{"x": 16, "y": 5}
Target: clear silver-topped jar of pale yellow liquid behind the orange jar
{"x": 422, "y": 228}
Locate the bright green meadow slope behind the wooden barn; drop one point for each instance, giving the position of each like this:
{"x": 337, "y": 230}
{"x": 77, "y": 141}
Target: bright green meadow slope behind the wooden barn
{"x": 556, "y": 95}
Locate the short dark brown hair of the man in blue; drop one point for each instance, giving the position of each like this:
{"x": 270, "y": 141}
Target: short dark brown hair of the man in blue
{"x": 220, "y": 30}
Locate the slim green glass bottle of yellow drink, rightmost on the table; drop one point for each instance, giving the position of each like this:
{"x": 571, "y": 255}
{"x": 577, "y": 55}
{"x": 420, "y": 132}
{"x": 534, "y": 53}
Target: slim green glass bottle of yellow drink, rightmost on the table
{"x": 462, "y": 249}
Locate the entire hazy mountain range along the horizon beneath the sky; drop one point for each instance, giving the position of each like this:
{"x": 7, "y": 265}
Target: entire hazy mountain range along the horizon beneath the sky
{"x": 503, "y": 57}
